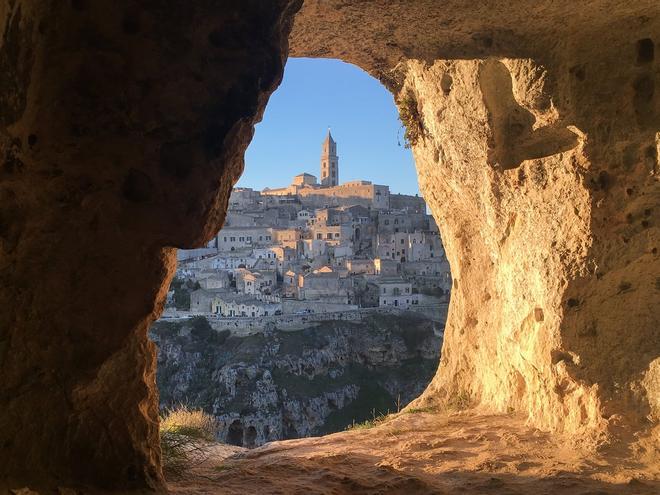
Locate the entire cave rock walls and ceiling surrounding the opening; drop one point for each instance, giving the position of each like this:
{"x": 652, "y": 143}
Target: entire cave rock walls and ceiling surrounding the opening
{"x": 535, "y": 128}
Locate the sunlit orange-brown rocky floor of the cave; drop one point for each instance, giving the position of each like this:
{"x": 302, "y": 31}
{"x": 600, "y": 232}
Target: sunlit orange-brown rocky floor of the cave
{"x": 426, "y": 453}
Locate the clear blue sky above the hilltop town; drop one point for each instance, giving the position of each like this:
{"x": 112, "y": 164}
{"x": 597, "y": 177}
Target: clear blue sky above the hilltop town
{"x": 320, "y": 93}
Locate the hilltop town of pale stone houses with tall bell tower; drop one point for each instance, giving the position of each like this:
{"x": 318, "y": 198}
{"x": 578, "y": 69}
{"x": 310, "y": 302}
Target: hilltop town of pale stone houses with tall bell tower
{"x": 317, "y": 248}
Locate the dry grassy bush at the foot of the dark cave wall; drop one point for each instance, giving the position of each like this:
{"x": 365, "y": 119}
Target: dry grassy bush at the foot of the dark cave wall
{"x": 185, "y": 439}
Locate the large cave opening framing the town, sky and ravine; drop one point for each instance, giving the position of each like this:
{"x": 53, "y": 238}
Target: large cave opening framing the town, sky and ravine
{"x": 320, "y": 304}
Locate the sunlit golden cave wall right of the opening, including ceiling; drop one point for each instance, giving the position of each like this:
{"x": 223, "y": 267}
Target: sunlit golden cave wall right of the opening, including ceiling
{"x": 535, "y": 133}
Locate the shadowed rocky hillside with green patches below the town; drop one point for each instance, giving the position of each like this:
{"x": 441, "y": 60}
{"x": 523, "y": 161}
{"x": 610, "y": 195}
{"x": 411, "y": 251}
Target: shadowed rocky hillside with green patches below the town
{"x": 290, "y": 384}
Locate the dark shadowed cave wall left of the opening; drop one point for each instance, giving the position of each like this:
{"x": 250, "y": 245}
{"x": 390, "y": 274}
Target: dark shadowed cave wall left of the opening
{"x": 123, "y": 129}
